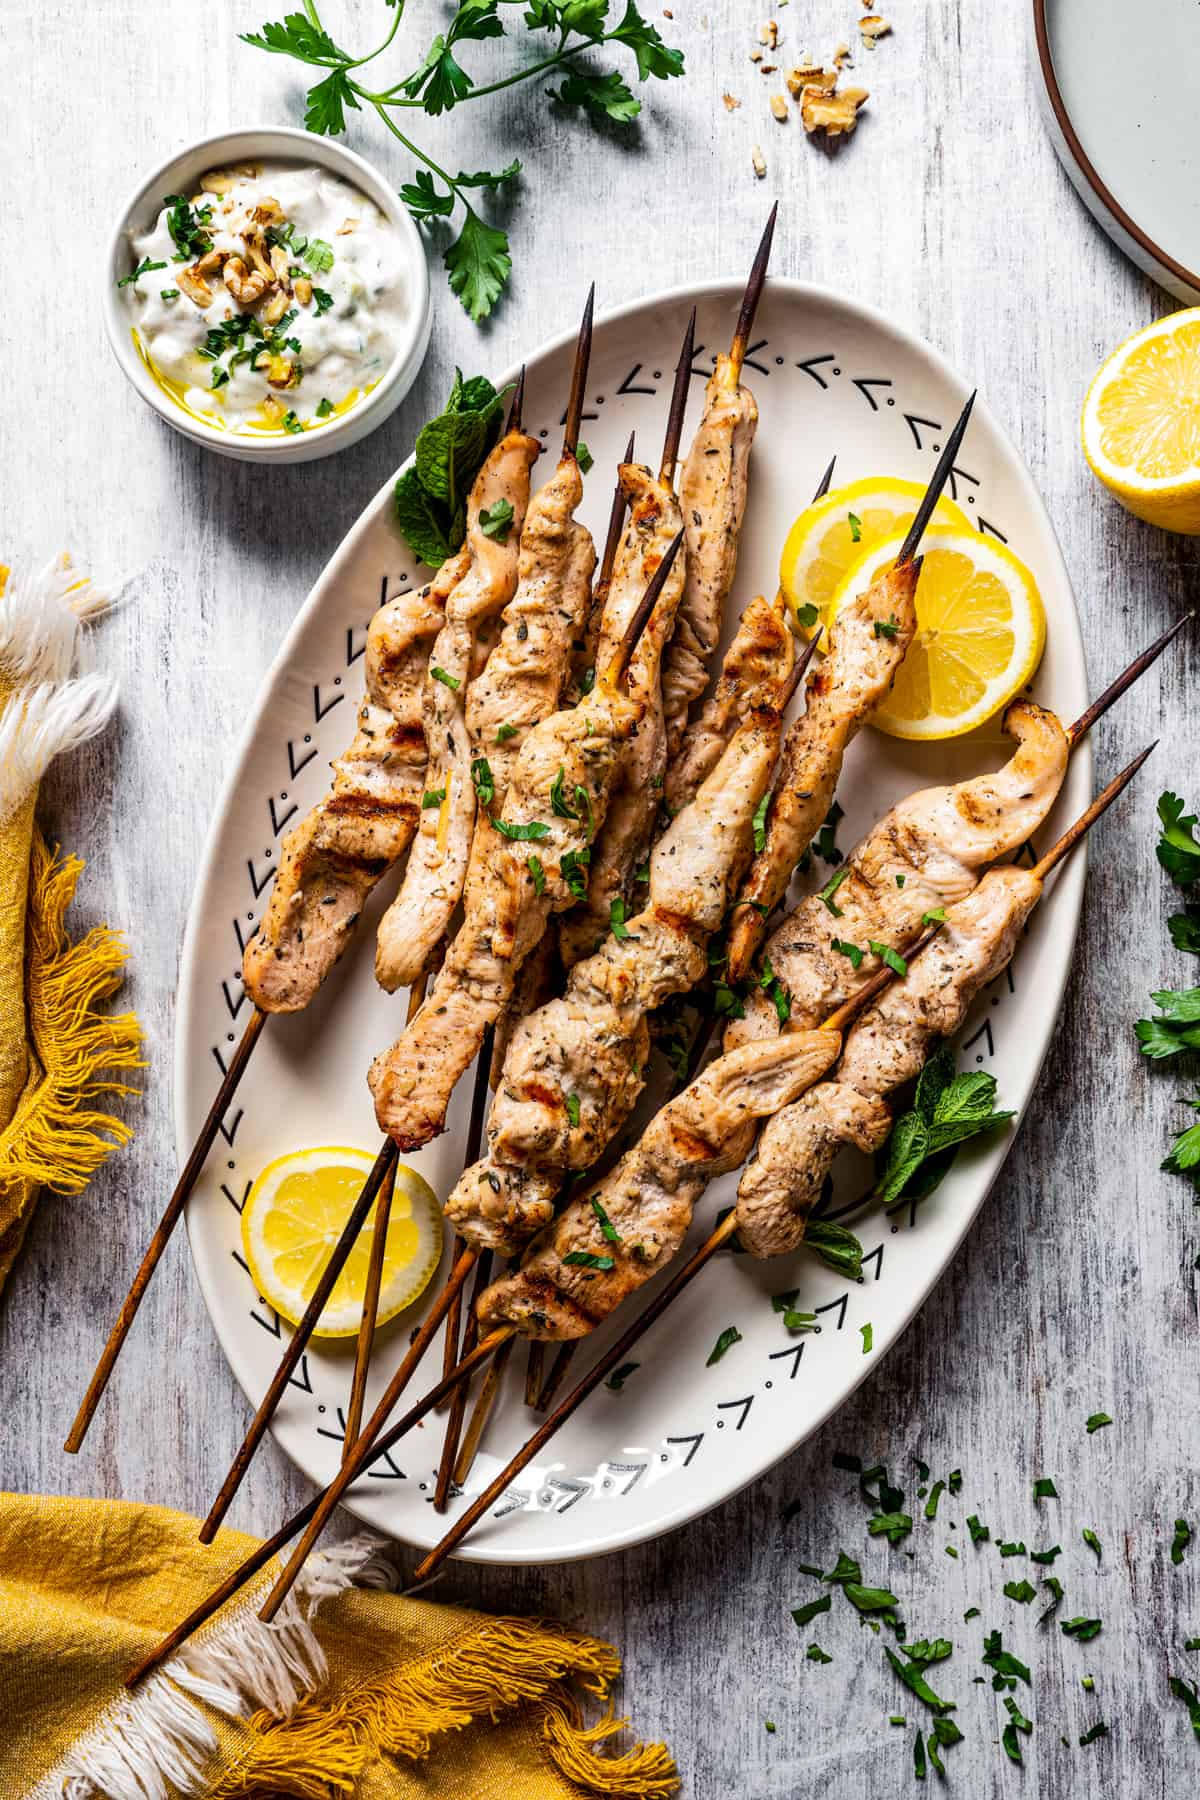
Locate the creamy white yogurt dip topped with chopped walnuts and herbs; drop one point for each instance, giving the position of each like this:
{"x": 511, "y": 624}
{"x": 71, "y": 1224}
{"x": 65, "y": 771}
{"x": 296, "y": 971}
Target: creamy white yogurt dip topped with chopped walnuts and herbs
{"x": 269, "y": 301}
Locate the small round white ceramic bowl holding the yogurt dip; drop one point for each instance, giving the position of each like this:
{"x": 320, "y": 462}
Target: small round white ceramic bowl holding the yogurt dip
{"x": 179, "y": 175}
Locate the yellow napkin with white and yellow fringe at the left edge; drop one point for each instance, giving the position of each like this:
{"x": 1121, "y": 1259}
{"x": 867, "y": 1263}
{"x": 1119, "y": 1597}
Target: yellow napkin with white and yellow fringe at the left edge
{"x": 53, "y": 1039}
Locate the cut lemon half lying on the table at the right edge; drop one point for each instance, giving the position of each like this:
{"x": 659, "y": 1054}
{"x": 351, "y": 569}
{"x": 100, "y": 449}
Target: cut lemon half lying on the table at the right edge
{"x": 1142, "y": 424}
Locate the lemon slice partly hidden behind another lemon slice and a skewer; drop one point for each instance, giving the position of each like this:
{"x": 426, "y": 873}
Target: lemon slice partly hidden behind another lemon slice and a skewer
{"x": 837, "y": 530}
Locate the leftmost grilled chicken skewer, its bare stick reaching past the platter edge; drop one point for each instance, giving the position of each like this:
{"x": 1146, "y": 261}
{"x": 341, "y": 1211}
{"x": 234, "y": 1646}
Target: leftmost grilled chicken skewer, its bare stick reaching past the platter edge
{"x": 334, "y": 859}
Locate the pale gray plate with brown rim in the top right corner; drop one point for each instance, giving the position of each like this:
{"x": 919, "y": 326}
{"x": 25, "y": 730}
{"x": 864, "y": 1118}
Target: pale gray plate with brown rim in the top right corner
{"x": 1122, "y": 103}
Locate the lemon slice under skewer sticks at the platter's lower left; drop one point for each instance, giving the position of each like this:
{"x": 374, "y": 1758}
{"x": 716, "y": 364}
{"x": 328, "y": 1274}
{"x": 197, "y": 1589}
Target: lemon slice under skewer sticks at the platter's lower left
{"x": 294, "y": 1216}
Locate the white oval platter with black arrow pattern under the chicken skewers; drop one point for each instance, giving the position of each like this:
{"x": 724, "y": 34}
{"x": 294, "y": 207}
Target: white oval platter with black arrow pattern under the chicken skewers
{"x": 832, "y": 377}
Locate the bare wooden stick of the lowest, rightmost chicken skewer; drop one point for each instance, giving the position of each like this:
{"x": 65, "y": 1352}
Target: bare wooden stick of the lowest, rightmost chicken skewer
{"x": 724, "y": 1232}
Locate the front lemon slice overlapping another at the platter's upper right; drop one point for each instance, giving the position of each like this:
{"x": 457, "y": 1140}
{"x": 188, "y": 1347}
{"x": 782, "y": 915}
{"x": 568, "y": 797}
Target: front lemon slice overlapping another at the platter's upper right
{"x": 980, "y": 638}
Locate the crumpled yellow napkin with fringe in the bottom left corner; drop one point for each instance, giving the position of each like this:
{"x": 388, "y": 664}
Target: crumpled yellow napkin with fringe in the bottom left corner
{"x": 352, "y": 1691}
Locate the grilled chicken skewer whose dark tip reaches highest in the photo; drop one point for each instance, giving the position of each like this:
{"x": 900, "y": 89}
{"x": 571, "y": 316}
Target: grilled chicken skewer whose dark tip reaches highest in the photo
{"x": 713, "y": 496}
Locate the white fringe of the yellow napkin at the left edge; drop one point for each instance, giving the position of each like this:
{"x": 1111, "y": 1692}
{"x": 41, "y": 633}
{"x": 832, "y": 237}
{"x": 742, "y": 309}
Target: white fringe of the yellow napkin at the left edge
{"x": 44, "y": 654}
